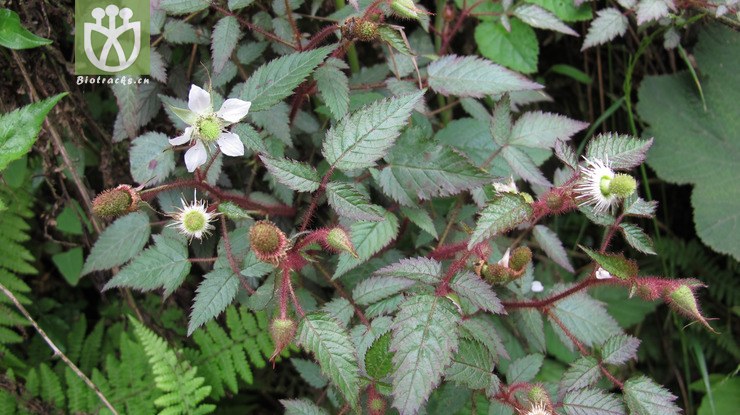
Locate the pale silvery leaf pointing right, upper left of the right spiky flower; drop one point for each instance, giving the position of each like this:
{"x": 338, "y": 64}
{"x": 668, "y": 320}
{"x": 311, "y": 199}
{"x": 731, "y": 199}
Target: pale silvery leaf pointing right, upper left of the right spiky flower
{"x": 543, "y": 129}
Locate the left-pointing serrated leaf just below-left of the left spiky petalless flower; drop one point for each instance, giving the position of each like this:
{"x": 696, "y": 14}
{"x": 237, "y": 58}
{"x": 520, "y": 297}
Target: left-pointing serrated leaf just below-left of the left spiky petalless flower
{"x": 164, "y": 265}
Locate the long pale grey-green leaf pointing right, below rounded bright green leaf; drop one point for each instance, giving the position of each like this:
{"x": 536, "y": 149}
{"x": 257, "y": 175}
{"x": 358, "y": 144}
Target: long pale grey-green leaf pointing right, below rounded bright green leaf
{"x": 469, "y": 76}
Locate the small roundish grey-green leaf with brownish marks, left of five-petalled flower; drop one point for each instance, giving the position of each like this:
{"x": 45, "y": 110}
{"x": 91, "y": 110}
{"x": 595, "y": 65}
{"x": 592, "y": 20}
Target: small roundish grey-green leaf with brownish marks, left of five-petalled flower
{"x": 151, "y": 158}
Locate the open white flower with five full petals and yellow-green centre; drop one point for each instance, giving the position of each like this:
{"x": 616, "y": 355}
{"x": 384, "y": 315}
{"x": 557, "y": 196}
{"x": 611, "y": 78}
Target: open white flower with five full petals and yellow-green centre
{"x": 207, "y": 127}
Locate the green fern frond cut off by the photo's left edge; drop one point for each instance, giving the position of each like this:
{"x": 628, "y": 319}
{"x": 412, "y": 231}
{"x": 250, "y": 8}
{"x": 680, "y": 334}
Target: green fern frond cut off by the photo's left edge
{"x": 15, "y": 260}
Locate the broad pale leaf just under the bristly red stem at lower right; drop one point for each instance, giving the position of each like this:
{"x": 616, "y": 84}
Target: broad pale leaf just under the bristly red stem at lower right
{"x": 585, "y": 318}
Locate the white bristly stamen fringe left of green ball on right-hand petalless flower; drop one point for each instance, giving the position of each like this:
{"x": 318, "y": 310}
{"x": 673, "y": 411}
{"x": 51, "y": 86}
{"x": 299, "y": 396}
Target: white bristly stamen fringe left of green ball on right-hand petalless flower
{"x": 593, "y": 187}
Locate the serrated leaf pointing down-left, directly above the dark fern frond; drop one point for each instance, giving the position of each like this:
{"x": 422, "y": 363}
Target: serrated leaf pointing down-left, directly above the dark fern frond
{"x": 214, "y": 294}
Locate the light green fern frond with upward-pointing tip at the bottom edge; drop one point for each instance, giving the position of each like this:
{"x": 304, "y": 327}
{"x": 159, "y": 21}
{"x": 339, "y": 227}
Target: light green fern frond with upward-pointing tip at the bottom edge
{"x": 183, "y": 390}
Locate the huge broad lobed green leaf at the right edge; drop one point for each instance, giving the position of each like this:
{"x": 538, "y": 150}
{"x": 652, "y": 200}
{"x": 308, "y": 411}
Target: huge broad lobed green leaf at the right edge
{"x": 698, "y": 146}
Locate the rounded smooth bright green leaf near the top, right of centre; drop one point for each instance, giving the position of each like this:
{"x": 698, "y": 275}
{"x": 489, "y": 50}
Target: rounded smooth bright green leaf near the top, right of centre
{"x": 516, "y": 49}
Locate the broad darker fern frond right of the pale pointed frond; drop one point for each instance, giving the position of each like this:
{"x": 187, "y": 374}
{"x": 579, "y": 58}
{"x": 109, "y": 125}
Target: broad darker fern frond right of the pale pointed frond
{"x": 229, "y": 356}
